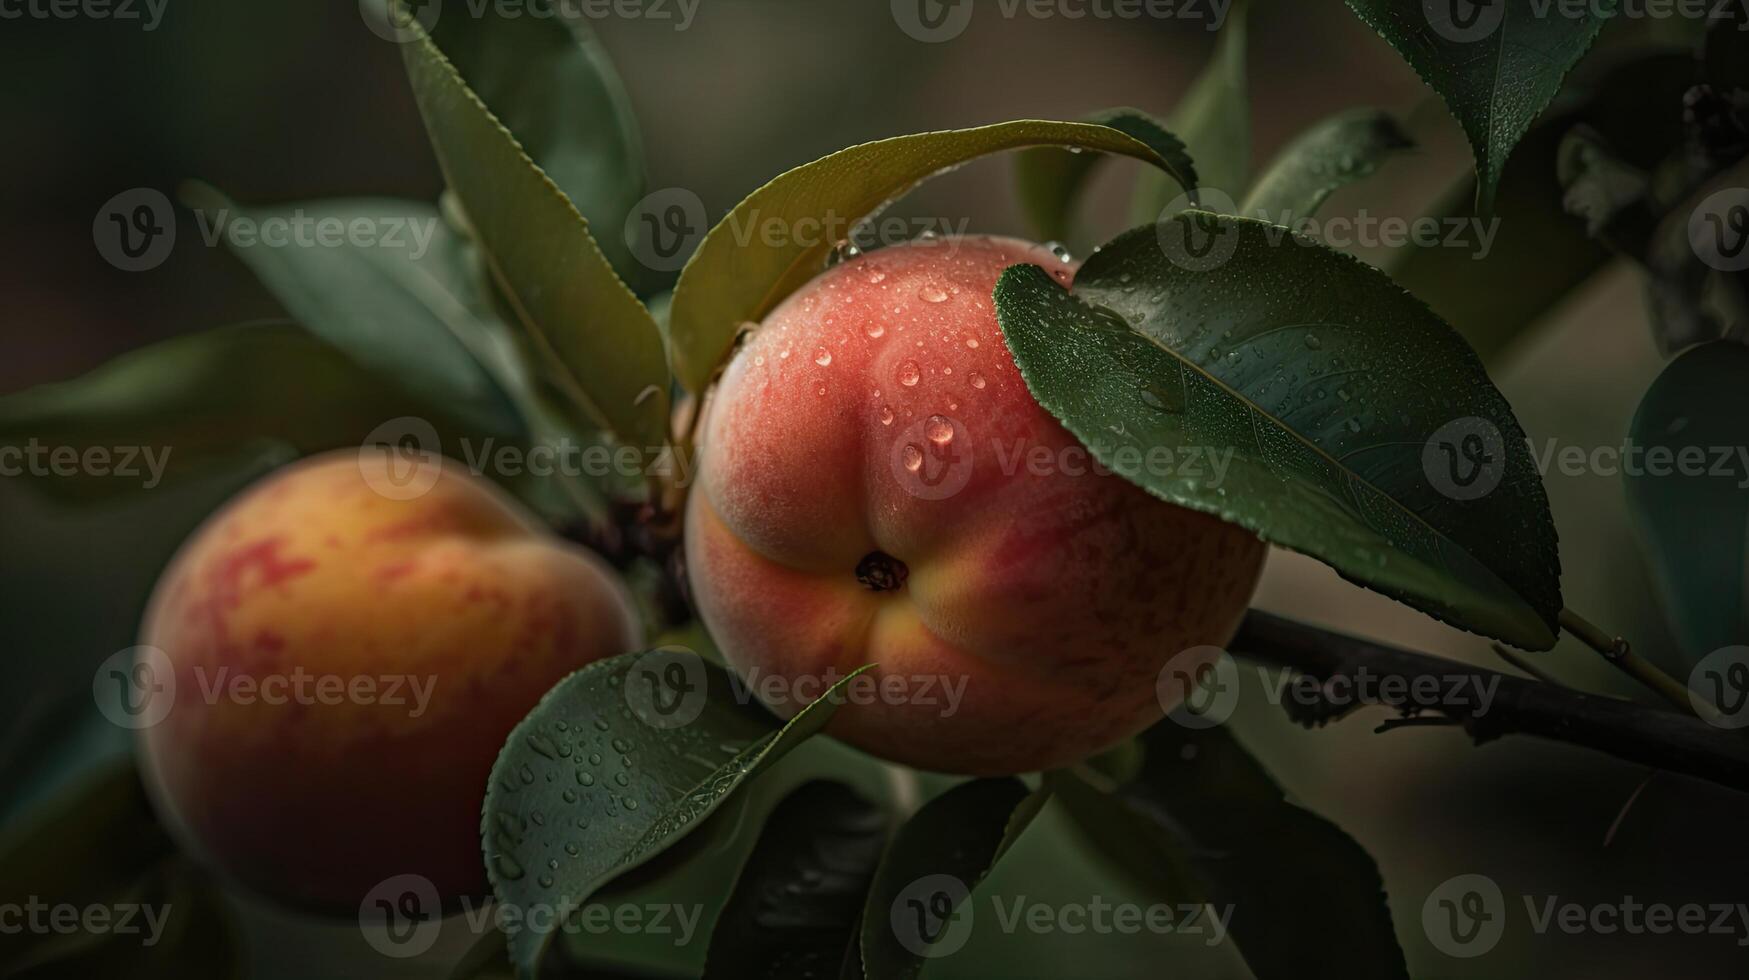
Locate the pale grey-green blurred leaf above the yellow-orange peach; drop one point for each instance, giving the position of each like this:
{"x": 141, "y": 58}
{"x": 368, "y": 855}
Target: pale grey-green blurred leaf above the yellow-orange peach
{"x": 405, "y": 305}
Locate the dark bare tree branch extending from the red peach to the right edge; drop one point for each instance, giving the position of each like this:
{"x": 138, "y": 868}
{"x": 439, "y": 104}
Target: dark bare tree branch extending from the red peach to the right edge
{"x": 1657, "y": 738}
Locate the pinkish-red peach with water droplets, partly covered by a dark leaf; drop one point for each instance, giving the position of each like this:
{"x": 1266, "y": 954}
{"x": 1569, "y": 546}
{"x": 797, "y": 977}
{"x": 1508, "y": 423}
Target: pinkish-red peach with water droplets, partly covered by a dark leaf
{"x": 877, "y": 486}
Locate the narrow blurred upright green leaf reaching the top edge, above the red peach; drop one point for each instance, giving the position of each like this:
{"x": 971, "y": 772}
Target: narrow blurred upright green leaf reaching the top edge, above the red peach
{"x": 1213, "y": 120}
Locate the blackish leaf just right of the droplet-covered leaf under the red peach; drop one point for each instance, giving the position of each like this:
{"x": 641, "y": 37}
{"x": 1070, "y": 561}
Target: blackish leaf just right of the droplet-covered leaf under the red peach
{"x": 798, "y": 902}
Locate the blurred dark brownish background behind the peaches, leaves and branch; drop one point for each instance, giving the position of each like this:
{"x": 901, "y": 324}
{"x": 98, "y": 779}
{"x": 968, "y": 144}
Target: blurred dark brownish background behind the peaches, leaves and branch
{"x": 282, "y": 102}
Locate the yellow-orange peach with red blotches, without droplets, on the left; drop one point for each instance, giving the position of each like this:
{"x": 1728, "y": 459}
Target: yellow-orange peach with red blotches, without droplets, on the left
{"x": 347, "y": 668}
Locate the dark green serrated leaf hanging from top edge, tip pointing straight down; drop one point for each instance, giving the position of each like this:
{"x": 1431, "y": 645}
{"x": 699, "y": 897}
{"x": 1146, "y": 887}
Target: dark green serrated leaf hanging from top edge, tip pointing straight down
{"x": 1496, "y": 64}
